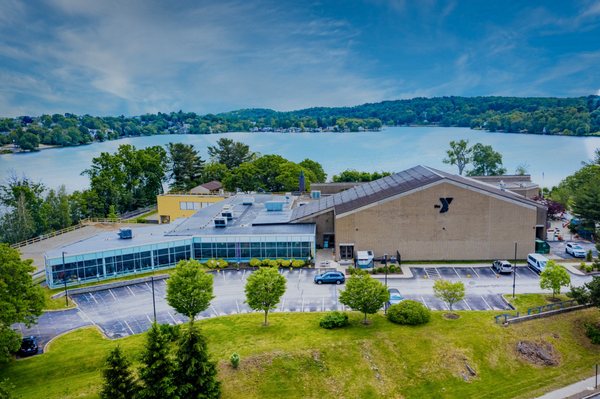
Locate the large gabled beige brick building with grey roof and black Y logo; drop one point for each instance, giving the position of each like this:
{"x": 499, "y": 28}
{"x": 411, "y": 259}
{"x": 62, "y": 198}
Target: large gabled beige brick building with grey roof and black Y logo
{"x": 426, "y": 214}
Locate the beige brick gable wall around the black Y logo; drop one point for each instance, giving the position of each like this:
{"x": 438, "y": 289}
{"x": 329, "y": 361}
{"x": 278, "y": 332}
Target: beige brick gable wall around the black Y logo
{"x": 477, "y": 226}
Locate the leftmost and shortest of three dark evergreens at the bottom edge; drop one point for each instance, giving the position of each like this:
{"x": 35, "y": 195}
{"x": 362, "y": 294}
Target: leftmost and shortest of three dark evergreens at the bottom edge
{"x": 119, "y": 382}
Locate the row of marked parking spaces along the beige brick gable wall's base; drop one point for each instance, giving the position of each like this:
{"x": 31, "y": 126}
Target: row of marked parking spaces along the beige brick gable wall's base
{"x": 469, "y": 273}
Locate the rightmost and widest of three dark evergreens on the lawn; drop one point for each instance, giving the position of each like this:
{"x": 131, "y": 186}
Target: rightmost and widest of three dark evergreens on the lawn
{"x": 195, "y": 373}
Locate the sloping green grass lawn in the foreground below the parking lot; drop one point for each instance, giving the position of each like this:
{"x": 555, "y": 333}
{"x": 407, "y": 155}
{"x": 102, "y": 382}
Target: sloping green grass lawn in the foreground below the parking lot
{"x": 295, "y": 358}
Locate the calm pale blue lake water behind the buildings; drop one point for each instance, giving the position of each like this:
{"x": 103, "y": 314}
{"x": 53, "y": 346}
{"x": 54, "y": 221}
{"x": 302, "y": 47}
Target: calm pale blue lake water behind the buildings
{"x": 548, "y": 158}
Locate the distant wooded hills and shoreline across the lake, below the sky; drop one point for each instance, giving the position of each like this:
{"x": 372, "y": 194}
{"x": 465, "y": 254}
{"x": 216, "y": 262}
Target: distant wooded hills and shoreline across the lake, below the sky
{"x": 558, "y": 116}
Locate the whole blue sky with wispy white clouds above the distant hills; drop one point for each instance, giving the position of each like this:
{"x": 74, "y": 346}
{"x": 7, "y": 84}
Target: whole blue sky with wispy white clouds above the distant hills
{"x": 131, "y": 57}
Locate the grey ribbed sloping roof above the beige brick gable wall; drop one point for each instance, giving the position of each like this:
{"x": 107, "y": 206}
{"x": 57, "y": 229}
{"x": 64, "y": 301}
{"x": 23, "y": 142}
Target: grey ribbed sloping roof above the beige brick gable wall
{"x": 390, "y": 186}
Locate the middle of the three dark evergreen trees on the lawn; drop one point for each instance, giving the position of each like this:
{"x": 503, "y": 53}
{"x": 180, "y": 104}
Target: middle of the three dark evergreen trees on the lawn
{"x": 157, "y": 367}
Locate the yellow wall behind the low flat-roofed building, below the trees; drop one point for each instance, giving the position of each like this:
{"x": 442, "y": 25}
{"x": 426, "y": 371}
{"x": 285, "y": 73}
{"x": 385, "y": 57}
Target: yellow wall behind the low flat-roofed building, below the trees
{"x": 170, "y": 205}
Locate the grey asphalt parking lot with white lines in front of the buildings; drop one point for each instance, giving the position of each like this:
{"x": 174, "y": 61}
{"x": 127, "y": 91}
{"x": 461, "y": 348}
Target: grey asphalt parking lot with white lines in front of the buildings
{"x": 128, "y": 310}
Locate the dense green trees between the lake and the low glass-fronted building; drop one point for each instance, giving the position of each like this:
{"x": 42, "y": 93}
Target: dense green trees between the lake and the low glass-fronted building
{"x": 131, "y": 178}
